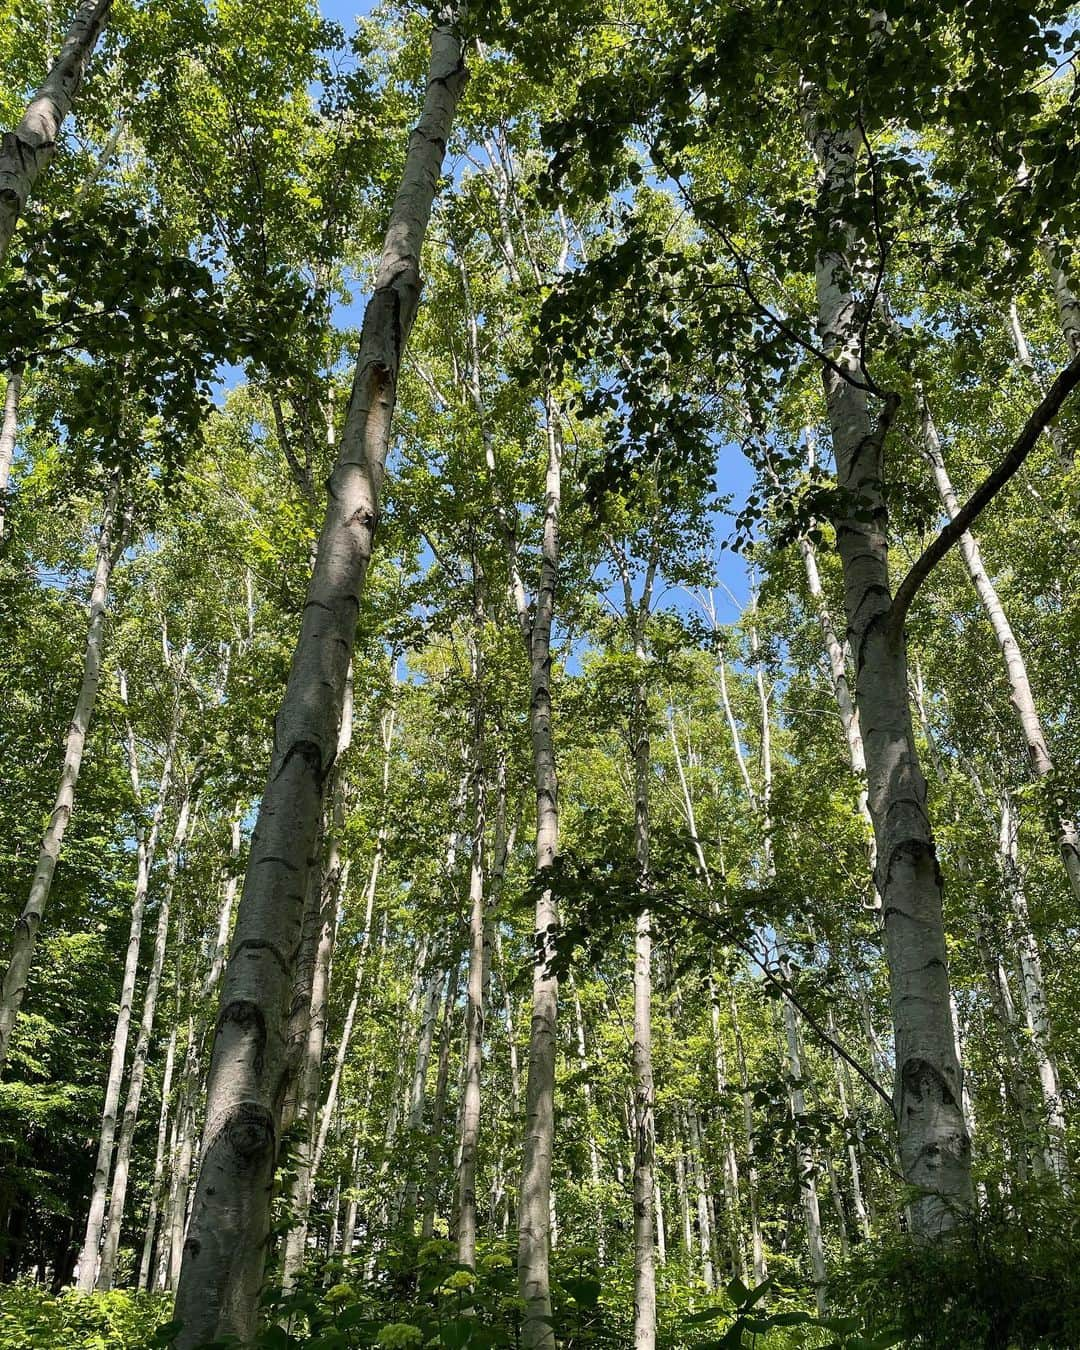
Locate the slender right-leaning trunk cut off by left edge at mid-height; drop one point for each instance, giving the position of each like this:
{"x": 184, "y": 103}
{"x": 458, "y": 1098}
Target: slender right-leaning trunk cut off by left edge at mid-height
{"x": 29, "y": 923}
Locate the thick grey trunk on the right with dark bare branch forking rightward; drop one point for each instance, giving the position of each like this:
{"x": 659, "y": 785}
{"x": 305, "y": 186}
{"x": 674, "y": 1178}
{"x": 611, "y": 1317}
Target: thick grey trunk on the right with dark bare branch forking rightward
{"x": 935, "y": 1145}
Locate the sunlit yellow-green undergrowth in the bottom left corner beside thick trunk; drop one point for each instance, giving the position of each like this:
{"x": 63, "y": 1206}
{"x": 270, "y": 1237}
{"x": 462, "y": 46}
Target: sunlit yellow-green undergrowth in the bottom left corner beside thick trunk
{"x": 34, "y": 1320}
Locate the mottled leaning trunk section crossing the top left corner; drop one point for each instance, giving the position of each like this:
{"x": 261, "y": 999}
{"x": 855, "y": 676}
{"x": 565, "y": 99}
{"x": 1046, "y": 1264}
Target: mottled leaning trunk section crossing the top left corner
{"x": 26, "y": 151}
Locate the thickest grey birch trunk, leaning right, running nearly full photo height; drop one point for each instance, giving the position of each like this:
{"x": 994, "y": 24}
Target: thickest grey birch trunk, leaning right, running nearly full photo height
{"x": 223, "y": 1258}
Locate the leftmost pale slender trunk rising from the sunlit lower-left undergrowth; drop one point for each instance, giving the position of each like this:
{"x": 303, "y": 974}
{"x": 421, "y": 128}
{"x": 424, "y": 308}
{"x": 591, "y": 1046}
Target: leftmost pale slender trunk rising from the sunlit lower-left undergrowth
{"x": 146, "y": 851}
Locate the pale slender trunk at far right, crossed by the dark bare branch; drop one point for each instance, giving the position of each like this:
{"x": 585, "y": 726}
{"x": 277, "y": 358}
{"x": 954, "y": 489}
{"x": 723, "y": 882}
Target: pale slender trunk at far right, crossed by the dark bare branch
{"x": 1020, "y": 685}
